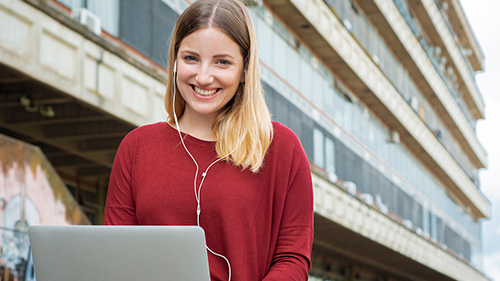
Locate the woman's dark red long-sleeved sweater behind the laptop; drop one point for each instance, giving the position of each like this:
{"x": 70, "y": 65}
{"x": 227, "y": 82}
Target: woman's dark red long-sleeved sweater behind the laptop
{"x": 263, "y": 223}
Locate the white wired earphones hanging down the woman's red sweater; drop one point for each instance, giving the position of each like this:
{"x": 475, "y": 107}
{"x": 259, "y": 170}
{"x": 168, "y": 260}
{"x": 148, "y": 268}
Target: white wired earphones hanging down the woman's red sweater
{"x": 197, "y": 191}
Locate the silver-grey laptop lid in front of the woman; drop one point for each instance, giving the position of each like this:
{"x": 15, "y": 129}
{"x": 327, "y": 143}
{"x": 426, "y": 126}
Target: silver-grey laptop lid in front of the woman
{"x": 118, "y": 253}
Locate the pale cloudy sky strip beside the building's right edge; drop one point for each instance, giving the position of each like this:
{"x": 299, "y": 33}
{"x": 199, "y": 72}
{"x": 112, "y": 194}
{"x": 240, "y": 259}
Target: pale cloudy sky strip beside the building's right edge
{"x": 484, "y": 18}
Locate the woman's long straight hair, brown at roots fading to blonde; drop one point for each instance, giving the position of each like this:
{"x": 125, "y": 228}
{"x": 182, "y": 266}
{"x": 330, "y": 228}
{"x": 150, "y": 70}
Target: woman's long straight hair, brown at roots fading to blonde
{"x": 244, "y": 122}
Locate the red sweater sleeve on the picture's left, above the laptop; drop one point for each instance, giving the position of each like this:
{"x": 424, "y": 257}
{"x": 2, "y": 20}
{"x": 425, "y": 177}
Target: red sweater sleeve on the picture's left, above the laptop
{"x": 120, "y": 205}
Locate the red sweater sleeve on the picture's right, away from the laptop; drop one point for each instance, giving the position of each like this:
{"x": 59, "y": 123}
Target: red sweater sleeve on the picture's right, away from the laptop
{"x": 291, "y": 260}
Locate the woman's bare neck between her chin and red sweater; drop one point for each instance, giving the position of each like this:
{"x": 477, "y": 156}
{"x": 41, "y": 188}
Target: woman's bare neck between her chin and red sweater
{"x": 197, "y": 126}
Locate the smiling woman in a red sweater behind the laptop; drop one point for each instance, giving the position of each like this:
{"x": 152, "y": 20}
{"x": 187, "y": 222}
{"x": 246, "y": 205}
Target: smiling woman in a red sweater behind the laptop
{"x": 219, "y": 162}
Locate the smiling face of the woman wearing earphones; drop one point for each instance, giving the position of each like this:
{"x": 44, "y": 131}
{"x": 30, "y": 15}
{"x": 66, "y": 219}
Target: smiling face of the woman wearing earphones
{"x": 209, "y": 71}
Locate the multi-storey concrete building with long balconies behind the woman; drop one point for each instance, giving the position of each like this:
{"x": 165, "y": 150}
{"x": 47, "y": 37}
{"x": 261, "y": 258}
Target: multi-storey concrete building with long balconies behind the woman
{"x": 380, "y": 92}
